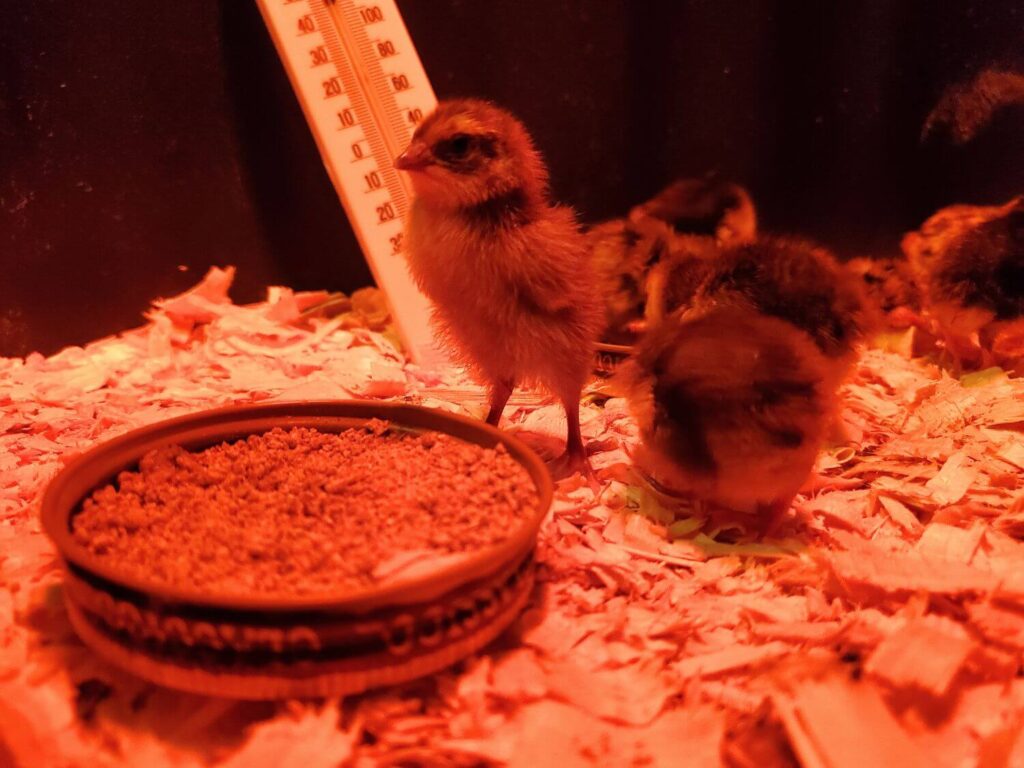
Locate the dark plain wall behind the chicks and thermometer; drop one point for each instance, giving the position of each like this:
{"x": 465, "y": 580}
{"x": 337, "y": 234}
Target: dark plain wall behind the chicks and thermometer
{"x": 143, "y": 143}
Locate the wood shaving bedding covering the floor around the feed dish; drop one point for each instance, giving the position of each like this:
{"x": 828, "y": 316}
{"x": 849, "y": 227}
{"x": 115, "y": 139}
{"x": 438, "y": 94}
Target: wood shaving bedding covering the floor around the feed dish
{"x": 889, "y": 620}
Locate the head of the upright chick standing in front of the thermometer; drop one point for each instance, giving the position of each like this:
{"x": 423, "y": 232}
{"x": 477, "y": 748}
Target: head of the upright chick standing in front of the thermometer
{"x": 468, "y": 153}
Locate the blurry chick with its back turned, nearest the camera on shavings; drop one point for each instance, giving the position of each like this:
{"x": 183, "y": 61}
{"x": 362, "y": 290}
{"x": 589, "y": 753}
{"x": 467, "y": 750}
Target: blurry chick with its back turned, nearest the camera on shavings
{"x": 733, "y": 407}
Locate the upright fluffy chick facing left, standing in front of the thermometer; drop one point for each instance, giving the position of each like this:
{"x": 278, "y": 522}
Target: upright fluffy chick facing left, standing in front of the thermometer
{"x": 507, "y": 271}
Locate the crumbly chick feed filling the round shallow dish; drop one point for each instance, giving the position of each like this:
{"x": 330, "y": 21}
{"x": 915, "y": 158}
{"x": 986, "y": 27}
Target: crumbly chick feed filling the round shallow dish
{"x": 303, "y": 511}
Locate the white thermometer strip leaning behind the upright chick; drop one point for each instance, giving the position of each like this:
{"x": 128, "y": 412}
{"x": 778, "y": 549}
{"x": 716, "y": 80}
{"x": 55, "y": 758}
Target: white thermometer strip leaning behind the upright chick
{"x": 363, "y": 90}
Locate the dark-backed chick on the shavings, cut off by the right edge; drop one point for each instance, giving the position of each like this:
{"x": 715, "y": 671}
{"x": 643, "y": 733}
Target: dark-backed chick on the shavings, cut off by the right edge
{"x": 969, "y": 262}
